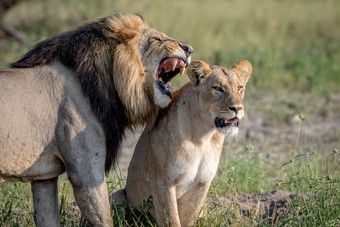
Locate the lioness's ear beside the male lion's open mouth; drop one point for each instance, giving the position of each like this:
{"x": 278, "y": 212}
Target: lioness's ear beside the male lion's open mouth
{"x": 198, "y": 71}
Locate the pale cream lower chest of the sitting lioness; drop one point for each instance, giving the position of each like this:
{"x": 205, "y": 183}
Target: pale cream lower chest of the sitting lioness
{"x": 196, "y": 165}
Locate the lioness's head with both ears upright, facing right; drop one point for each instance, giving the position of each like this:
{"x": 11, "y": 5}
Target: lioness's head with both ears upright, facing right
{"x": 221, "y": 91}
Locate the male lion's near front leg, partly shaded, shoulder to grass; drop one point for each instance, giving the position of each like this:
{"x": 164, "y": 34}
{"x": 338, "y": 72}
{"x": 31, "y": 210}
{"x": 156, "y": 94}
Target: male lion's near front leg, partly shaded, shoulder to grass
{"x": 83, "y": 150}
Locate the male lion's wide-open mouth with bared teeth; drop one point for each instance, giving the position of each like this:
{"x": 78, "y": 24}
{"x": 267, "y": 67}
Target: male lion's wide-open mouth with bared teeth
{"x": 167, "y": 70}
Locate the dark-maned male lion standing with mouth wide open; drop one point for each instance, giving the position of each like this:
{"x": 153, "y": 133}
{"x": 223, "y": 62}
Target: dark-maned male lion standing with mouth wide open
{"x": 66, "y": 103}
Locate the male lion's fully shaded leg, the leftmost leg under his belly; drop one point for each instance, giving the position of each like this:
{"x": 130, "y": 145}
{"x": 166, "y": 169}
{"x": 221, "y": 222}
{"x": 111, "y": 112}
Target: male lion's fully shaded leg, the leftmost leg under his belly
{"x": 45, "y": 201}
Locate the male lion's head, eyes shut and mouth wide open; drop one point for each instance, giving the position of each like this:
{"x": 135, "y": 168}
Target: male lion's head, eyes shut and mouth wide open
{"x": 160, "y": 57}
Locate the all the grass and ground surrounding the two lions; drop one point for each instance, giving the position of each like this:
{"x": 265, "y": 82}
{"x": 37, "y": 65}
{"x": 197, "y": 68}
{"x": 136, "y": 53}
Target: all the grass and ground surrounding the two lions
{"x": 294, "y": 47}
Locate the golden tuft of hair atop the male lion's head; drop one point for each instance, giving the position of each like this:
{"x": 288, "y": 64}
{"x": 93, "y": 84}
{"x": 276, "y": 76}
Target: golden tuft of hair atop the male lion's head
{"x": 123, "y": 27}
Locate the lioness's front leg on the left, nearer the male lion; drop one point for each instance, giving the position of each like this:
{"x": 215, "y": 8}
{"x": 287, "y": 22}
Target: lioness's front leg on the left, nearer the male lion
{"x": 165, "y": 202}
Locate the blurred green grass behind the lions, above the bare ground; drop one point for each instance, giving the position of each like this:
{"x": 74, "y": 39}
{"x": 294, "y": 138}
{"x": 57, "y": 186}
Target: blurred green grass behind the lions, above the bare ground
{"x": 293, "y": 45}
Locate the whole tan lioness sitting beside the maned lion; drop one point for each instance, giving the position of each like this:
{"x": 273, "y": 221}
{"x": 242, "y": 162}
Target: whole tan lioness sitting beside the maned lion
{"x": 178, "y": 154}
